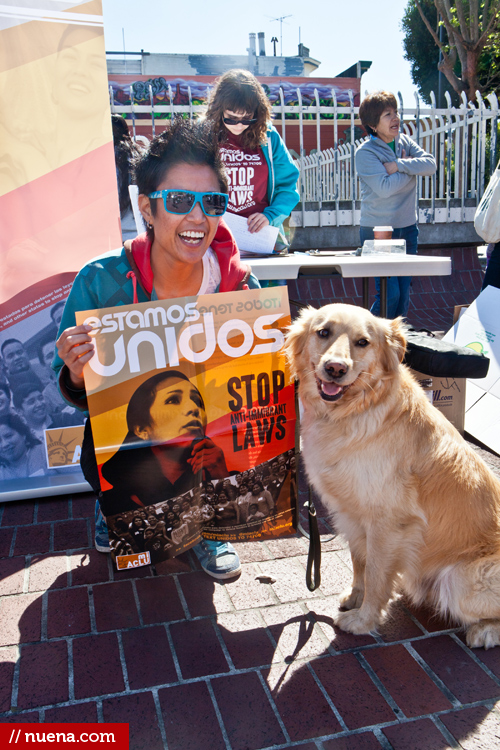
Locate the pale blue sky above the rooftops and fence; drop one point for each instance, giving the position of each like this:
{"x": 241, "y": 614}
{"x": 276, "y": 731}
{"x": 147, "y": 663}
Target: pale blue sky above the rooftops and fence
{"x": 337, "y": 33}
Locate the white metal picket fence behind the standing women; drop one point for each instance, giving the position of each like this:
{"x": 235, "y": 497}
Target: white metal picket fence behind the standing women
{"x": 462, "y": 139}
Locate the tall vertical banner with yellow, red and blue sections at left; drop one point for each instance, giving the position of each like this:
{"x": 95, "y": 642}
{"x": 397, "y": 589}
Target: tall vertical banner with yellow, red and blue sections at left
{"x": 58, "y": 209}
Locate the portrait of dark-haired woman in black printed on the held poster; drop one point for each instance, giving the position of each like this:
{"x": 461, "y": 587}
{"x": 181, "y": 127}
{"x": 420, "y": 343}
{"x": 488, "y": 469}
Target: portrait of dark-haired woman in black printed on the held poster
{"x": 166, "y": 451}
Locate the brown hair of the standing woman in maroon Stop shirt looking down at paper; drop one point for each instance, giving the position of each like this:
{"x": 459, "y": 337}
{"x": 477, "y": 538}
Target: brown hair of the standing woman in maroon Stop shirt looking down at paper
{"x": 240, "y": 91}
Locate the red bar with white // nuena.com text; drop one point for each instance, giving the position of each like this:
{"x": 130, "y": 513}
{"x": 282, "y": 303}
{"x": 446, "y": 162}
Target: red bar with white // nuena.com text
{"x": 21, "y": 736}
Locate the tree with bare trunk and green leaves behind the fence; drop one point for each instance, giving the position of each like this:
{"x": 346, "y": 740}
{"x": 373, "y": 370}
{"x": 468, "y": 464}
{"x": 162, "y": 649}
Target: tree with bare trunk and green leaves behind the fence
{"x": 469, "y": 43}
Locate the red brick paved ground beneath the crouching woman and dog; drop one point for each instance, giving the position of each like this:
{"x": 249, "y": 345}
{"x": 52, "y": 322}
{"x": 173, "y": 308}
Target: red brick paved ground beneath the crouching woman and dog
{"x": 196, "y": 665}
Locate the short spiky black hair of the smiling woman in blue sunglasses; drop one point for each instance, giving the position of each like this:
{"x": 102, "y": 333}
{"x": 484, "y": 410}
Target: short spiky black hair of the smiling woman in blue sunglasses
{"x": 183, "y": 142}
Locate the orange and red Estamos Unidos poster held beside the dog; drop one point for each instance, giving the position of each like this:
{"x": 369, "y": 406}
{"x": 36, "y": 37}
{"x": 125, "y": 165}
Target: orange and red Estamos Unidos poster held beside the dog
{"x": 193, "y": 417}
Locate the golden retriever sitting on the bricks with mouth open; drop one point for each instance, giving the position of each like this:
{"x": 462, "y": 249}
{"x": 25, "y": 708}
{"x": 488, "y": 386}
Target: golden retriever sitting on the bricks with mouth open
{"x": 419, "y": 508}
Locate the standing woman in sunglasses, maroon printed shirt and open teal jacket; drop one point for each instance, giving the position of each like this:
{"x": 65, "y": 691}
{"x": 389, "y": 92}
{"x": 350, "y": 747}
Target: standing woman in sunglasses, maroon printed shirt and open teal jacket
{"x": 261, "y": 173}
